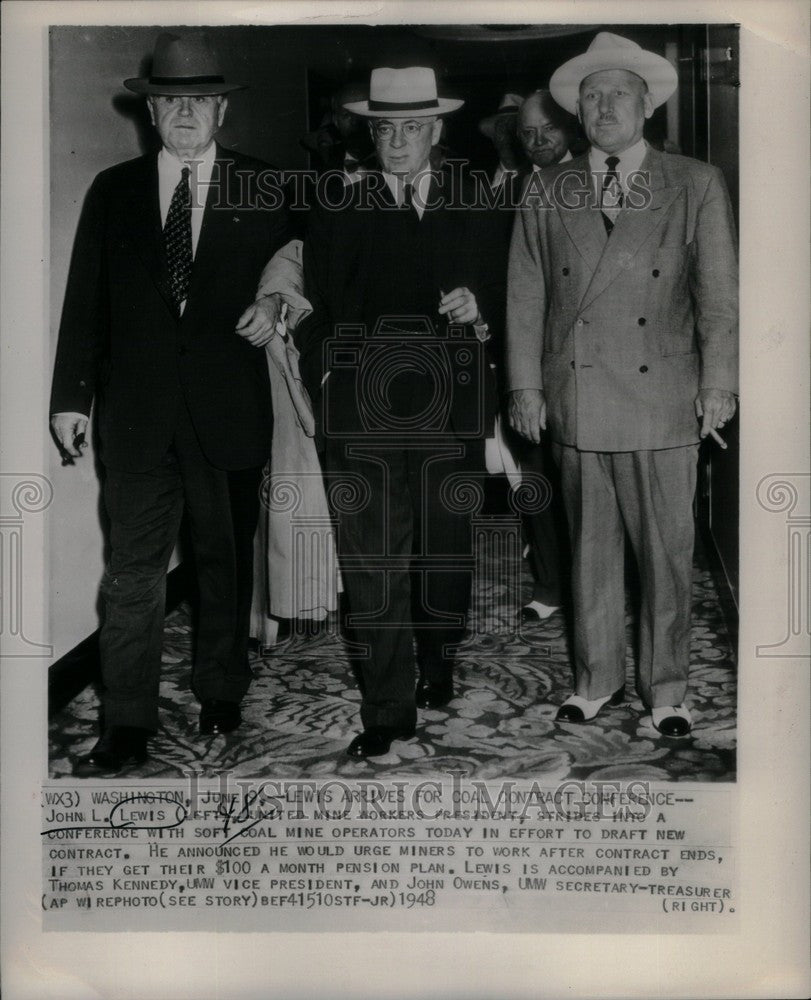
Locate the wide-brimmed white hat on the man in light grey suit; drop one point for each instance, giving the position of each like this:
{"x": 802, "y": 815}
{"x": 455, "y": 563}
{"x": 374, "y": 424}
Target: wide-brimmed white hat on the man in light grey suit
{"x": 609, "y": 51}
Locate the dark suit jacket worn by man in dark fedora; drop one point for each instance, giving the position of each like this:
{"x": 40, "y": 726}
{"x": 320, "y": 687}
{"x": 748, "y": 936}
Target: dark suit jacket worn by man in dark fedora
{"x": 122, "y": 342}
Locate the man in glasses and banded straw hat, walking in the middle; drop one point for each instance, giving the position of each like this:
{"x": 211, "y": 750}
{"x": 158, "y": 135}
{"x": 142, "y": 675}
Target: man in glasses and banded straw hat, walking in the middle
{"x": 402, "y": 401}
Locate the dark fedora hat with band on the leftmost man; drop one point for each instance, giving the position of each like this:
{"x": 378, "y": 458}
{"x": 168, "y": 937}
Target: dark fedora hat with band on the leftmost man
{"x": 183, "y": 66}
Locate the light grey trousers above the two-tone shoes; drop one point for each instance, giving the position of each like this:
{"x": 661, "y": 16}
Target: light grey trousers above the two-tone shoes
{"x": 648, "y": 495}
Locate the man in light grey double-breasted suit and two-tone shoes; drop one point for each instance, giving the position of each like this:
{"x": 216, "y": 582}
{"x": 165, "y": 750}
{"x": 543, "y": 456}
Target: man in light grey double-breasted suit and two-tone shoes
{"x": 622, "y": 344}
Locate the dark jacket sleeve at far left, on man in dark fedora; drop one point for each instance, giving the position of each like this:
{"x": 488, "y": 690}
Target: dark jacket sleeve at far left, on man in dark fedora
{"x": 84, "y": 328}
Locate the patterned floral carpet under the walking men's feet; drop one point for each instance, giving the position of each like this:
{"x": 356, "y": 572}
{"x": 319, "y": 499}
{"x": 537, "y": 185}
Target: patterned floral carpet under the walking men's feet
{"x": 302, "y": 709}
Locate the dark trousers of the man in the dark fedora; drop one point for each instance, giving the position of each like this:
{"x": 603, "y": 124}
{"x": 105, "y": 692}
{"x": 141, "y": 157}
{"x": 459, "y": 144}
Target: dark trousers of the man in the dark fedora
{"x": 145, "y": 511}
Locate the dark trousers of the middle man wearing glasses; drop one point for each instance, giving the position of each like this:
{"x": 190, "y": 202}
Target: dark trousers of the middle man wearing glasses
{"x": 404, "y": 545}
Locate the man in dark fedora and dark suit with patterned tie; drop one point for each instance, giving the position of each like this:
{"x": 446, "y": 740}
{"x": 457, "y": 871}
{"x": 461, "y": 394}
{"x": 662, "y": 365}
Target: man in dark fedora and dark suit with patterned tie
{"x": 167, "y": 255}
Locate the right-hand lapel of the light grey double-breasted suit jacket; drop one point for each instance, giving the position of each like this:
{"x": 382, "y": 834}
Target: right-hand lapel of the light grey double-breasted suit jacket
{"x": 632, "y": 229}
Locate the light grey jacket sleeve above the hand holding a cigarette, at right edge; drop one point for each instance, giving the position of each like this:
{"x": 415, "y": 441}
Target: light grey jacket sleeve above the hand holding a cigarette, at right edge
{"x": 714, "y": 283}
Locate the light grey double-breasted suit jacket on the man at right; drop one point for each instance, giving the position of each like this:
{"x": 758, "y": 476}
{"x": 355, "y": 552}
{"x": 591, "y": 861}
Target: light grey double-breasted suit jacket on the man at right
{"x": 621, "y": 333}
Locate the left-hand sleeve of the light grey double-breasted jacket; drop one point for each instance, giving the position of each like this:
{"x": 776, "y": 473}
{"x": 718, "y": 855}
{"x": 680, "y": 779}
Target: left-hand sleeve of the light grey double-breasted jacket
{"x": 526, "y": 304}
